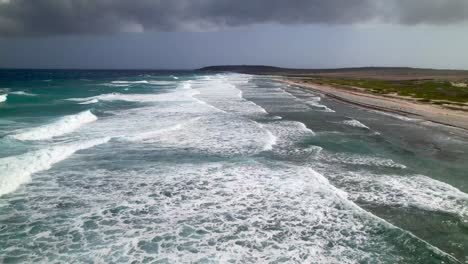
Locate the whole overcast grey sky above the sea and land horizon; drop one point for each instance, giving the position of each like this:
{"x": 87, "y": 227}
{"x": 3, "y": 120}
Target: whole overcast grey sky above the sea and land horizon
{"x": 176, "y": 34}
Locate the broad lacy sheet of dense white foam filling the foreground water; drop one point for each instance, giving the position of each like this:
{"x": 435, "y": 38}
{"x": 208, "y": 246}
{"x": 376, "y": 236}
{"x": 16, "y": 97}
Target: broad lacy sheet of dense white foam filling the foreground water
{"x": 226, "y": 212}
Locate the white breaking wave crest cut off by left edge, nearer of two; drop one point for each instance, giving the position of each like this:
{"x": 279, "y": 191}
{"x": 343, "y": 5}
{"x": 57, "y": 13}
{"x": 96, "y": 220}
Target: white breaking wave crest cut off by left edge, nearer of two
{"x": 17, "y": 170}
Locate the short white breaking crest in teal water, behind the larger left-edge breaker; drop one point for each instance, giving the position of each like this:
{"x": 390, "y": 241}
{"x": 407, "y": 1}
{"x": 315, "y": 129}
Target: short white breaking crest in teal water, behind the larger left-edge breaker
{"x": 64, "y": 125}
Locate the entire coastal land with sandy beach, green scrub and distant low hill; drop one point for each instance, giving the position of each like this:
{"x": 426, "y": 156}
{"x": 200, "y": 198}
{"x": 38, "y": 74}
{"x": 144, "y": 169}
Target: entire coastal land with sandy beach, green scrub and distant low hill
{"x": 440, "y": 96}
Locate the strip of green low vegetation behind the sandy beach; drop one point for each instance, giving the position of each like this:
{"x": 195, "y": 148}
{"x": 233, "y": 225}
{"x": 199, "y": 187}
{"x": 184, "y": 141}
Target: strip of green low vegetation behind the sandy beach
{"x": 433, "y": 91}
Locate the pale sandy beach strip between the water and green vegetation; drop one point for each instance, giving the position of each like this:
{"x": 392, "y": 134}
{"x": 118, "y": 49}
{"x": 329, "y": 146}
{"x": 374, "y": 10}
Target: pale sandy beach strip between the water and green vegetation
{"x": 428, "y": 112}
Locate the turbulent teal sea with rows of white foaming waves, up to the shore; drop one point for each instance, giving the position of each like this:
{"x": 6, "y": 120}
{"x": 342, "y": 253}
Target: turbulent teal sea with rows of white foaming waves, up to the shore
{"x": 187, "y": 167}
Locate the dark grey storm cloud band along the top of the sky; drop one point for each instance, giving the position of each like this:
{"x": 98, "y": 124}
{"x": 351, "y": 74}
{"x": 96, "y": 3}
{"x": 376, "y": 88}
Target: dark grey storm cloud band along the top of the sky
{"x": 55, "y": 17}
